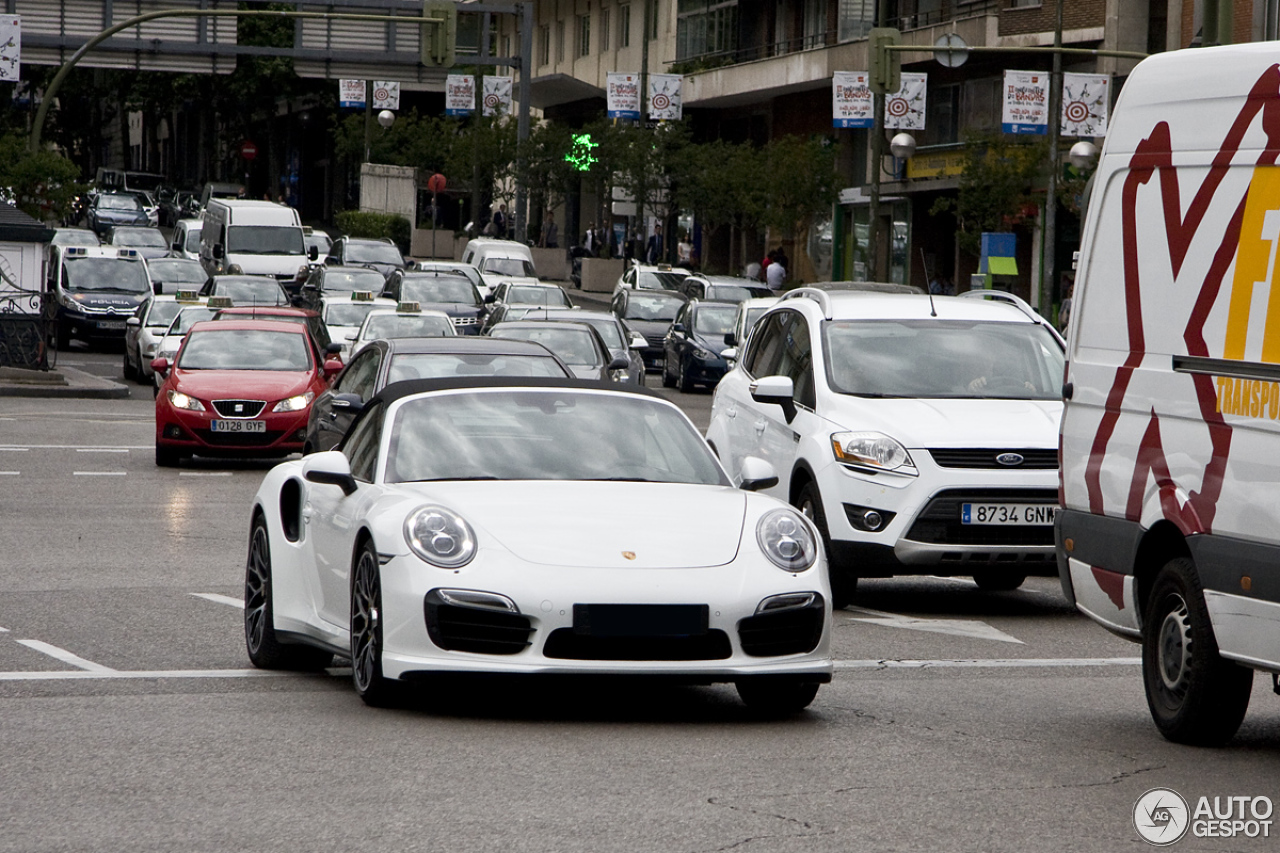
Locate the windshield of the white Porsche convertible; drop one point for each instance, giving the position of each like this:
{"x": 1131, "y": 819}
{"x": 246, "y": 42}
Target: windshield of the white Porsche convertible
{"x": 546, "y": 435}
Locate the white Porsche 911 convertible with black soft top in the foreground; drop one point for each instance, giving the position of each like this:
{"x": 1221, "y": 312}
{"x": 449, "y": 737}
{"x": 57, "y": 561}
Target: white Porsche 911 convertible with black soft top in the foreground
{"x": 534, "y": 526}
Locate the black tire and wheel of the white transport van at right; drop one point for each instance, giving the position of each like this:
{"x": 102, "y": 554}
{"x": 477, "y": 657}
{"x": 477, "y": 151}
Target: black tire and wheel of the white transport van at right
{"x": 1196, "y": 697}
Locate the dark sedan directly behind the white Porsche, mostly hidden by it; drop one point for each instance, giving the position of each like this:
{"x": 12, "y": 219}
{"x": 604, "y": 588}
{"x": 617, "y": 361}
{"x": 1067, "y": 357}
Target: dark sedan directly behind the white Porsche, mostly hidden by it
{"x": 386, "y": 362}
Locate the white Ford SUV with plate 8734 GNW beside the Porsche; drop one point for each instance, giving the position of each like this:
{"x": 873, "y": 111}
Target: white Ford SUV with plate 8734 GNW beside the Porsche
{"x": 920, "y": 435}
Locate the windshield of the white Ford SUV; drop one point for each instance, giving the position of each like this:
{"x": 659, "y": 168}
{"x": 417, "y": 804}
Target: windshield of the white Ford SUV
{"x": 944, "y": 359}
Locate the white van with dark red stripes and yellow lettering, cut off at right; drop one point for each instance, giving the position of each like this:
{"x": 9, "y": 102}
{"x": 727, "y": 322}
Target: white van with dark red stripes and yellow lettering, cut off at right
{"x": 1171, "y": 450}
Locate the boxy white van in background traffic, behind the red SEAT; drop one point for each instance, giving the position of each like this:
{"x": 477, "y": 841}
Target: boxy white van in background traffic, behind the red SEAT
{"x": 259, "y": 238}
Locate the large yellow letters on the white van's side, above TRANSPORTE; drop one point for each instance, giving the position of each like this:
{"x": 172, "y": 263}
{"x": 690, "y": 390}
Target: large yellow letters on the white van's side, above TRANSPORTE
{"x": 1255, "y": 266}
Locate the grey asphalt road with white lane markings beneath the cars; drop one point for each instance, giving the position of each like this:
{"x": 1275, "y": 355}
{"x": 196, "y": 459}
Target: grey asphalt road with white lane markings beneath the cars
{"x": 132, "y": 720}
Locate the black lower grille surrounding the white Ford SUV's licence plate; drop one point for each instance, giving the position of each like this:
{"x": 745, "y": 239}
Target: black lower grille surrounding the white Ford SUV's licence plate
{"x": 940, "y": 521}
